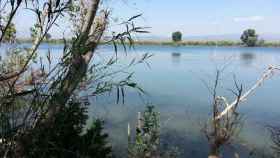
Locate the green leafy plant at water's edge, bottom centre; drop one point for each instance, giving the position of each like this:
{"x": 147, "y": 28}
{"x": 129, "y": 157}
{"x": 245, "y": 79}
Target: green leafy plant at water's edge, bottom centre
{"x": 146, "y": 142}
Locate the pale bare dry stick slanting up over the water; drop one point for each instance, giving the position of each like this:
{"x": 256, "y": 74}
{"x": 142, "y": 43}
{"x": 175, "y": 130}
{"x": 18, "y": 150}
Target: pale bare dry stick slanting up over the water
{"x": 267, "y": 75}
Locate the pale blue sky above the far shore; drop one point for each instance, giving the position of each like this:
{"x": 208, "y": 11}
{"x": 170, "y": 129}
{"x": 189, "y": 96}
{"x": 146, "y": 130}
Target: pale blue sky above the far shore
{"x": 192, "y": 17}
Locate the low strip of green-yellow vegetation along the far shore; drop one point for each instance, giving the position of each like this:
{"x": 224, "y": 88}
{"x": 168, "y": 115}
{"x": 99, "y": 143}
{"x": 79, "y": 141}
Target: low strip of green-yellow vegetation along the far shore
{"x": 223, "y": 43}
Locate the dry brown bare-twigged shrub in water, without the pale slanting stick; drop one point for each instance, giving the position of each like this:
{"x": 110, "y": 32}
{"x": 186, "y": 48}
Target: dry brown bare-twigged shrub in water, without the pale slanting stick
{"x": 220, "y": 132}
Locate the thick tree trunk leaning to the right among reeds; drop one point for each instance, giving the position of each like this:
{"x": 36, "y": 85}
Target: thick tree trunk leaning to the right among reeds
{"x": 82, "y": 54}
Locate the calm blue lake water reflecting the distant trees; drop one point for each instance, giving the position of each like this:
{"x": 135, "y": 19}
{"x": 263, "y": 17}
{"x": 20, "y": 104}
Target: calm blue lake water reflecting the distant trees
{"x": 176, "y": 83}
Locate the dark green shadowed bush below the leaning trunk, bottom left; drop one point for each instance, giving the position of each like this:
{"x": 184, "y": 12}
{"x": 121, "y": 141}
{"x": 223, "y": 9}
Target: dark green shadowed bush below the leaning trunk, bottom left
{"x": 67, "y": 137}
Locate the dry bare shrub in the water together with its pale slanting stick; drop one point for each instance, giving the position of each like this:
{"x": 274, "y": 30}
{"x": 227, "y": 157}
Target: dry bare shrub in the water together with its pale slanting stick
{"x": 225, "y": 122}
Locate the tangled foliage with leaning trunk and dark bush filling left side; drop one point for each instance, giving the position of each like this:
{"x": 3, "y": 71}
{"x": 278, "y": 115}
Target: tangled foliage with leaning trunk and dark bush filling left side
{"x": 29, "y": 109}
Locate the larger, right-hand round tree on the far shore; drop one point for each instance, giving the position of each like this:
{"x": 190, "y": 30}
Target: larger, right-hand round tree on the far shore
{"x": 249, "y": 37}
